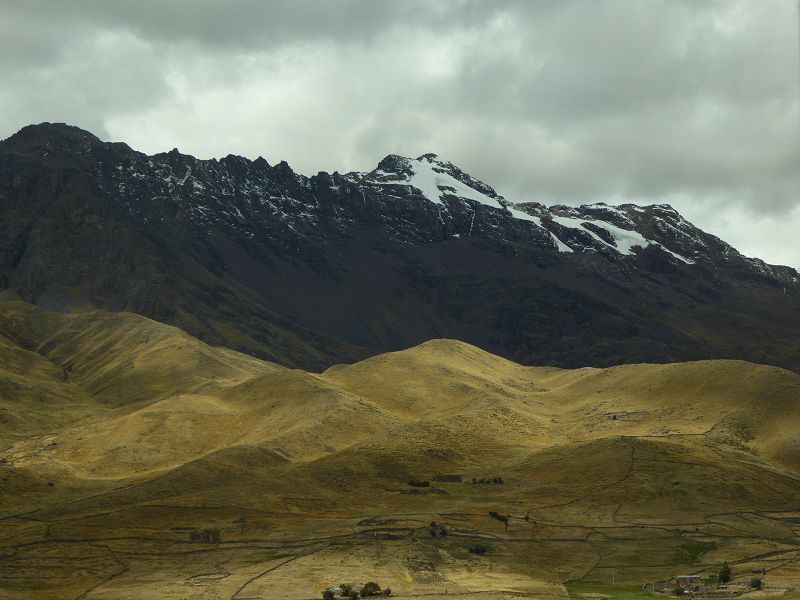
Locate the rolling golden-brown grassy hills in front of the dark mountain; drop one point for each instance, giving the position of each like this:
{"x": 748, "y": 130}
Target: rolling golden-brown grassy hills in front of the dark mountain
{"x": 144, "y": 463}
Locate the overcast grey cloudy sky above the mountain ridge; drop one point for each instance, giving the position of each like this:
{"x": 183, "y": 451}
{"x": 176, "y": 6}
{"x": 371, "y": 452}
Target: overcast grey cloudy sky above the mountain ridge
{"x": 690, "y": 102}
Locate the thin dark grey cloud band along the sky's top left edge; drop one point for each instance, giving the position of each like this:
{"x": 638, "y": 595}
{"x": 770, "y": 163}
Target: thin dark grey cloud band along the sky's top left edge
{"x": 242, "y": 24}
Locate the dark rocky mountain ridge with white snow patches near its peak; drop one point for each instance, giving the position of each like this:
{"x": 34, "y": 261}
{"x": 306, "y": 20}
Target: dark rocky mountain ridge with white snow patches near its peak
{"x": 332, "y": 268}
